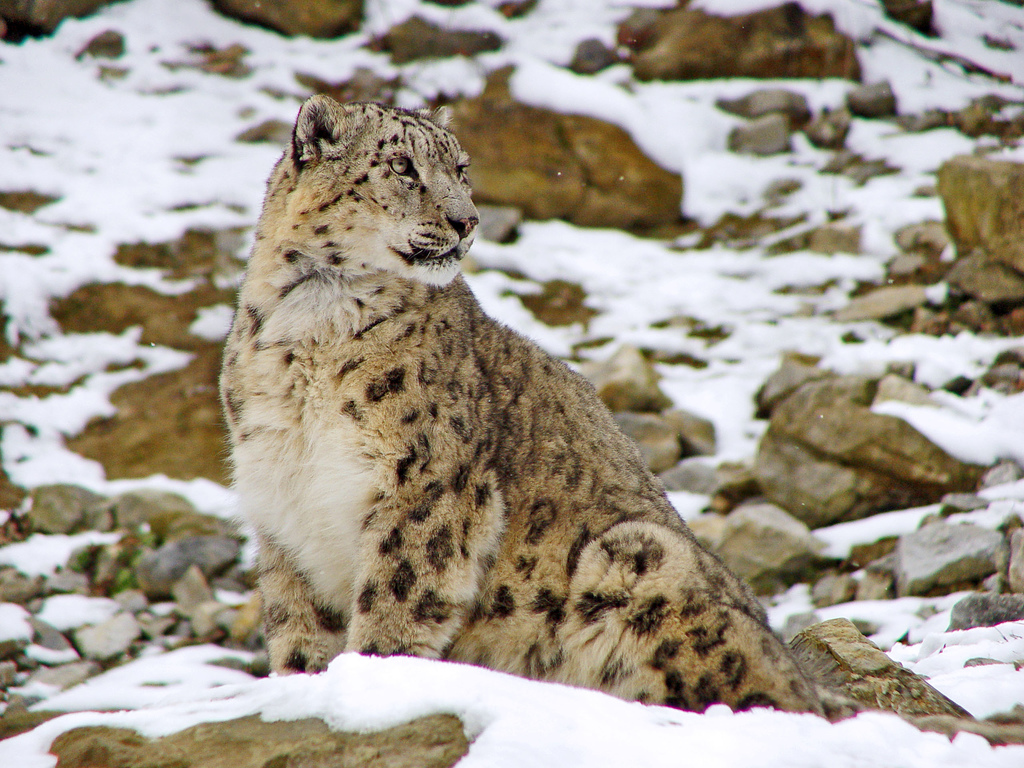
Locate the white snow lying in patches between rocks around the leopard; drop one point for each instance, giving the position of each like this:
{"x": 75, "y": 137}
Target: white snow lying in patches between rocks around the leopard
{"x": 115, "y": 150}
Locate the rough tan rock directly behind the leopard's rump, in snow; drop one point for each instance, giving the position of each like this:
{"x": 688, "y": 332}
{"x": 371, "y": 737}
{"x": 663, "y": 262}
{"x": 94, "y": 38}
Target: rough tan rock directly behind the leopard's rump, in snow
{"x": 836, "y": 654}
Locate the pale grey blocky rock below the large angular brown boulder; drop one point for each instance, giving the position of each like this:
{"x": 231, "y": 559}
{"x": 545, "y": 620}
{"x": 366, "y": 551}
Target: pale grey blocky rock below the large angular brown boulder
{"x": 943, "y": 557}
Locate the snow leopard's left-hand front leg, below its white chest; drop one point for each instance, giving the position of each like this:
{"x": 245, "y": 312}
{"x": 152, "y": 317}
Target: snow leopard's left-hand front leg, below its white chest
{"x": 304, "y": 633}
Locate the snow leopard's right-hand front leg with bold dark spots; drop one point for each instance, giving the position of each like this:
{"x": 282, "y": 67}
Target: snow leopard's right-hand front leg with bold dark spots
{"x": 423, "y": 553}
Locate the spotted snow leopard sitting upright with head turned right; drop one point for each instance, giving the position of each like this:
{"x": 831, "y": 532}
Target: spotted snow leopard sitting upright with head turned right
{"x": 424, "y": 481}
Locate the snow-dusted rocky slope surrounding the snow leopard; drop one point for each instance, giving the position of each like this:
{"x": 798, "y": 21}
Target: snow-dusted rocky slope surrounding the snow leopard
{"x": 786, "y": 242}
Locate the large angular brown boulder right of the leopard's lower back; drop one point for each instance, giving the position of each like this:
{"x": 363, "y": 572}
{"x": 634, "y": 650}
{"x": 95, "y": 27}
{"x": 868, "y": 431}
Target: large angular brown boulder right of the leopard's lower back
{"x": 828, "y": 458}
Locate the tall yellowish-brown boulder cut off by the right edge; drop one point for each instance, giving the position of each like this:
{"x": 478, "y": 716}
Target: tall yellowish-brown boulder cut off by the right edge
{"x": 985, "y": 204}
